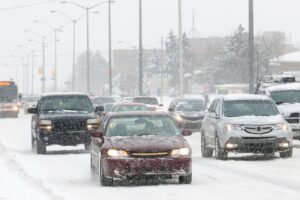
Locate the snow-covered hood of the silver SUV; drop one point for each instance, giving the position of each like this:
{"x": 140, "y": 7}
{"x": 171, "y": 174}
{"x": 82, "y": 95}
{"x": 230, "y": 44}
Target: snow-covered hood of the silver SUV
{"x": 255, "y": 120}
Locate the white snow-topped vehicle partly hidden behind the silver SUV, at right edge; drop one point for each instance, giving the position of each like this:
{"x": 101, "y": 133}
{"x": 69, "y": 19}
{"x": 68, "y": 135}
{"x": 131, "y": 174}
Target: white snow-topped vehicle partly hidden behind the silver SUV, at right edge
{"x": 287, "y": 99}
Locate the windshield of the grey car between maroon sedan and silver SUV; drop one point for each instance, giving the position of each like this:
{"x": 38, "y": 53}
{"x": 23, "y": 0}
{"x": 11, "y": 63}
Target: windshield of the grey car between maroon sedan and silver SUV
{"x": 190, "y": 106}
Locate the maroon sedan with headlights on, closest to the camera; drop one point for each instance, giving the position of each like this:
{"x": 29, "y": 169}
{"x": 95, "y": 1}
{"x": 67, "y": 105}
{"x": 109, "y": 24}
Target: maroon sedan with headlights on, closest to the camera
{"x": 140, "y": 144}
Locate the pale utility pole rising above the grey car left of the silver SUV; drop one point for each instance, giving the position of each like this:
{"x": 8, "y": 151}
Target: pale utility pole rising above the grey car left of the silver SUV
{"x": 180, "y": 48}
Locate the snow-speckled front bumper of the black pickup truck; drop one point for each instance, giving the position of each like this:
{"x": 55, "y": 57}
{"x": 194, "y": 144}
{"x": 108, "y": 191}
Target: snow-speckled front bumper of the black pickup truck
{"x": 66, "y": 138}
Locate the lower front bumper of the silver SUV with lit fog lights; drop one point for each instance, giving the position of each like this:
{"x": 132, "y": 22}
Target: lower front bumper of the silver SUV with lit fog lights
{"x": 257, "y": 145}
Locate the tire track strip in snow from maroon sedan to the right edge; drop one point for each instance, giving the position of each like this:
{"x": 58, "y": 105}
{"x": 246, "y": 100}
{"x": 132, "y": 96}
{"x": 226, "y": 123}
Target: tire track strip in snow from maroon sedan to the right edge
{"x": 289, "y": 184}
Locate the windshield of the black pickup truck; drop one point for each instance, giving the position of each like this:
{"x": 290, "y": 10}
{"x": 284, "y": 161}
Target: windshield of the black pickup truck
{"x": 66, "y": 103}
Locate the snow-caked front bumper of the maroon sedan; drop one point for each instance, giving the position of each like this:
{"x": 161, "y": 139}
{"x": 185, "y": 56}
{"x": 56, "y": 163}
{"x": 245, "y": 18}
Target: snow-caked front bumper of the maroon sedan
{"x": 132, "y": 167}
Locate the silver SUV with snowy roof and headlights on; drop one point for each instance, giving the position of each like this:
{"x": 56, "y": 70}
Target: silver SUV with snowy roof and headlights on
{"x": 245, "y": 123}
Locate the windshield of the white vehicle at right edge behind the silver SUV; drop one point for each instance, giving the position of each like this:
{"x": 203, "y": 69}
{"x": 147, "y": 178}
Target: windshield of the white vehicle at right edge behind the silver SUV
{"x": 289, "y": 96}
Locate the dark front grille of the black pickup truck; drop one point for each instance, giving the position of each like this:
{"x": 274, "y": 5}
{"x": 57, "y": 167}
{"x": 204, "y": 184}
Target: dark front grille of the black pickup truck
{"x": 69, "y": 125}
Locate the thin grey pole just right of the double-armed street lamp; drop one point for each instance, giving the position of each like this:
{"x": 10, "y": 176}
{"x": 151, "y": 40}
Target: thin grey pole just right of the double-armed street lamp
{"x": 109, "y": 49}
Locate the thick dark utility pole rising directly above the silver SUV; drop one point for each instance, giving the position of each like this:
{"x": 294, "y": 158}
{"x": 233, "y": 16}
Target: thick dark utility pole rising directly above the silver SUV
{"x": 251, "y": 48}
